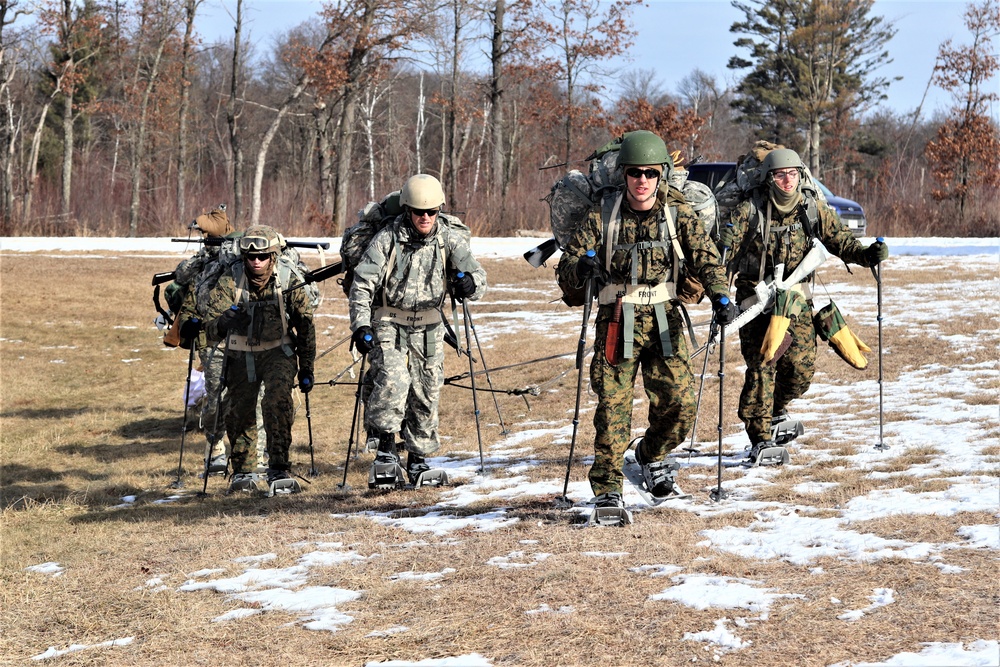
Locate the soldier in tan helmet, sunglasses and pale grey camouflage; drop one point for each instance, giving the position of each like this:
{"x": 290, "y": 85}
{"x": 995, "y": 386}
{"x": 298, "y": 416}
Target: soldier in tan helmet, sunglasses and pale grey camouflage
{"x": 402, "y": 281}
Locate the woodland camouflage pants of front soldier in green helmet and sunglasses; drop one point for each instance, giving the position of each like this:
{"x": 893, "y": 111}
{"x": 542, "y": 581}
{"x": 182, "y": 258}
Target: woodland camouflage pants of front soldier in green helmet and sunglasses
{"x": 669, "y": 387}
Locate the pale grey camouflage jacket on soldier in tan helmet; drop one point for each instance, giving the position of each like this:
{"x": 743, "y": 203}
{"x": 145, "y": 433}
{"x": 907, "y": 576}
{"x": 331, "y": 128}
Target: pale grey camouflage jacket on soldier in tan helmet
{"x": 418, "y": 277}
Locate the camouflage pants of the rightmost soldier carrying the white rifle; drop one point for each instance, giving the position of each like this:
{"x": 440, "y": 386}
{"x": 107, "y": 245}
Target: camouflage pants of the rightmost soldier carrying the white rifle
{"x": 767, "y": 390}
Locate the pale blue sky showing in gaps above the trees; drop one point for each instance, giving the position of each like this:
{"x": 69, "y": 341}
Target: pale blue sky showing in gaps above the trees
{"x": 677, "y": 36}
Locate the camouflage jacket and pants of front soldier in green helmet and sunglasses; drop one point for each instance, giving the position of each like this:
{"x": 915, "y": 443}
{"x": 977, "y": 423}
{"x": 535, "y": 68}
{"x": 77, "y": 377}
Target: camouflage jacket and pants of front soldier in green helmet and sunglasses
{"x": 668, "y": 381}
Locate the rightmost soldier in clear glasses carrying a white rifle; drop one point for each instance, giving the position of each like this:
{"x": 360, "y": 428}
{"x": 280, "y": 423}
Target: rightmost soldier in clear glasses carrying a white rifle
{"x": 775, "y": 226}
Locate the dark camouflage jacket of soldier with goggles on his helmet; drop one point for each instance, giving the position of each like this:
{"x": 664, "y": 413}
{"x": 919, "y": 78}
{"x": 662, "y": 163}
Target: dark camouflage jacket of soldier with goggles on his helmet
{"x": 266, "y": 322}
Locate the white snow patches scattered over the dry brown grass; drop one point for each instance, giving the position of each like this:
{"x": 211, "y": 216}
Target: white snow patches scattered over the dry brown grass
{"x": 933, "y": 397}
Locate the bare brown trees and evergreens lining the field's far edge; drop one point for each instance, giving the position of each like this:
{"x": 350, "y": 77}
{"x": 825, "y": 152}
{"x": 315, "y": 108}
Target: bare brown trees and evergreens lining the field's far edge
{"x": 116, "y": 118}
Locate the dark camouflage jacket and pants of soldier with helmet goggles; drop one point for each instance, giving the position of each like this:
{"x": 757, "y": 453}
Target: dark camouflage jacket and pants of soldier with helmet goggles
{"x": 274, "y": 368}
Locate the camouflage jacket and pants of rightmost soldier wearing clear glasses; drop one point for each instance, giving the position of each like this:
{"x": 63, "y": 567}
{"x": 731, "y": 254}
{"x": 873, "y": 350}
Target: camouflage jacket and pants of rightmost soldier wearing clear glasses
{"x": 768, "y": 389}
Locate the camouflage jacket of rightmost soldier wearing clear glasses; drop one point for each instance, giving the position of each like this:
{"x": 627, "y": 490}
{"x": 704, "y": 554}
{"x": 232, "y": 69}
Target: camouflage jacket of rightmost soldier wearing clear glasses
{"x": 788, "y": 240}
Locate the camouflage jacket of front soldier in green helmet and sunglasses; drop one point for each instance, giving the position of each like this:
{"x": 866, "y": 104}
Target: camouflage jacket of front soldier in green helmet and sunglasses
{"x": 655, "y": 265}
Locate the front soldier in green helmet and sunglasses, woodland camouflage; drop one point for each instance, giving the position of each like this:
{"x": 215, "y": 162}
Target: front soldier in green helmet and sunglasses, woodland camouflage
{"x": 640, "y": 233}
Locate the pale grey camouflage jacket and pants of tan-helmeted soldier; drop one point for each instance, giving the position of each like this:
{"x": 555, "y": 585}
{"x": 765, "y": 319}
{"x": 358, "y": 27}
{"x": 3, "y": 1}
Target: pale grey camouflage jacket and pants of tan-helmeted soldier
{"x": 407, "y": 364}
